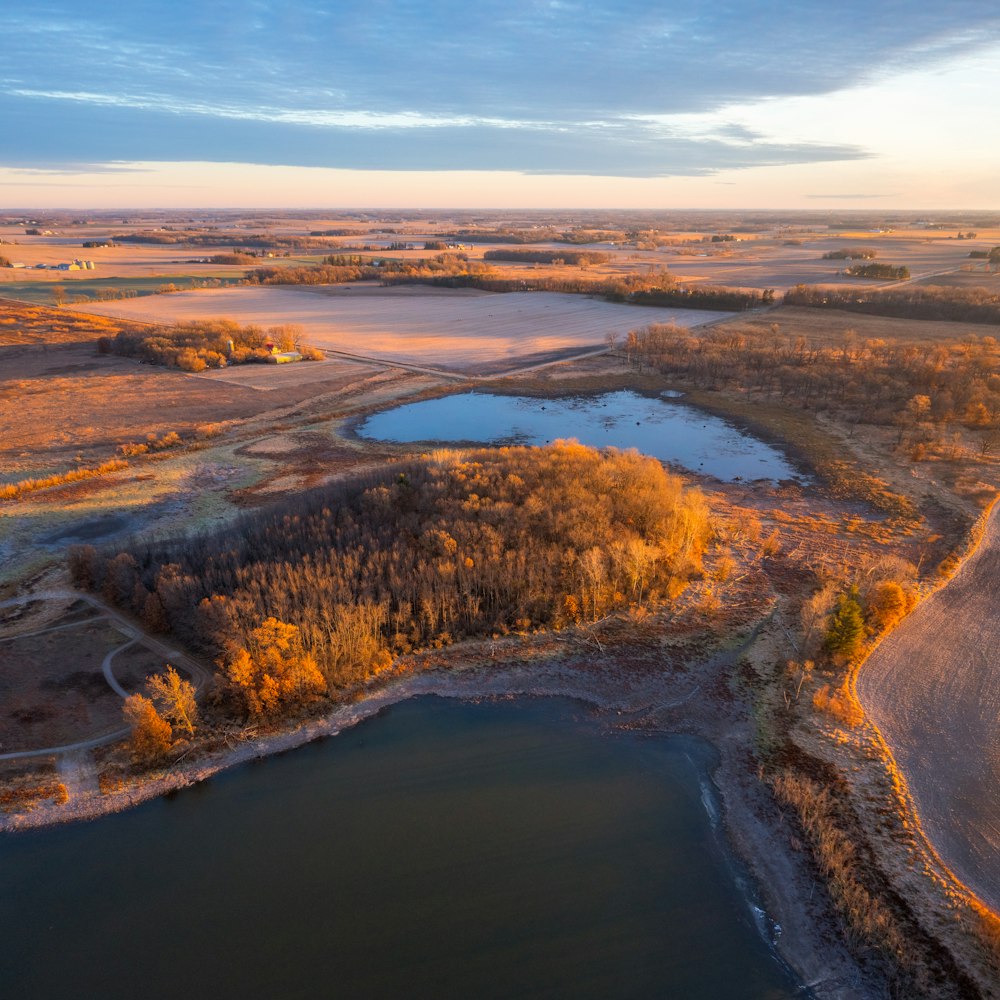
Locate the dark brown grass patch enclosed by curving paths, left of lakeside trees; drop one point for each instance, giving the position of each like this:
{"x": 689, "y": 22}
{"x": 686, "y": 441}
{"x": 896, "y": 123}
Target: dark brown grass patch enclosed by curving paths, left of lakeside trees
{"x": 52, "y": 690}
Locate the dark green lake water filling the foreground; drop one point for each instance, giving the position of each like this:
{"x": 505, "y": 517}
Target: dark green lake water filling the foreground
{"x": 441, "y": 850}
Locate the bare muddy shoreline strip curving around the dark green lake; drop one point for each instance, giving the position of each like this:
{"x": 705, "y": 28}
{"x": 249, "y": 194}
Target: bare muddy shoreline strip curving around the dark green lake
{"x": 780, "y": 884}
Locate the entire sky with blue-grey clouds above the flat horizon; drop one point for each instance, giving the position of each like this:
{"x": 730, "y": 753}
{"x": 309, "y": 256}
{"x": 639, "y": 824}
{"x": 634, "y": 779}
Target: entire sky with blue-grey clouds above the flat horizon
{"x": 875, "y": 104}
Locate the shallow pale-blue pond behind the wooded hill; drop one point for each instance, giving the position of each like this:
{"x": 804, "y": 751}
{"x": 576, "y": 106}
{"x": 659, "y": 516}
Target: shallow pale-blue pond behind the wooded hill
{"x": 662, "y": 427}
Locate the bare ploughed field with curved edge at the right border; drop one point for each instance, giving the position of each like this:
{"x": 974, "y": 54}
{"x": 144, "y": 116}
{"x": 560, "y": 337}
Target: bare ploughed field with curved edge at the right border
{"x": 933, "y": 688}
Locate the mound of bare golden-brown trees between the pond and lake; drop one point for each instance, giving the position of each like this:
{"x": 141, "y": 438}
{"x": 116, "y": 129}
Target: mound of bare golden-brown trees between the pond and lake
{"x": 421, "y": 554}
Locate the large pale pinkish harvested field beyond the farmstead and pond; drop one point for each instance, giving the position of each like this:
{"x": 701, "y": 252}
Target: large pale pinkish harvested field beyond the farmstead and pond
{"x": 463, "y": 330}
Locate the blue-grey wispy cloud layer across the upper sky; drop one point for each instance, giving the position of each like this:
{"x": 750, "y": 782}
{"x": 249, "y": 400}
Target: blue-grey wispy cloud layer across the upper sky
{"x": 629, "y": 89}
